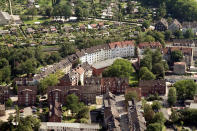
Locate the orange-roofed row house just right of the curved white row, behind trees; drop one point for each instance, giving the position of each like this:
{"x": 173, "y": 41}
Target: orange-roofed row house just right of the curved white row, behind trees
{"x": 152, "y": 45}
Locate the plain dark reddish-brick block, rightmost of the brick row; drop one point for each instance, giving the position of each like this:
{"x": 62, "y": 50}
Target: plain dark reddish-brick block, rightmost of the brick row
{"x": 152, "y": 87}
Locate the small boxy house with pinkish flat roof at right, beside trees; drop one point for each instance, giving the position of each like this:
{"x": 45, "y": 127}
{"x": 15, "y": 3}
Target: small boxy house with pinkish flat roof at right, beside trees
{"x": 180, "y": 68}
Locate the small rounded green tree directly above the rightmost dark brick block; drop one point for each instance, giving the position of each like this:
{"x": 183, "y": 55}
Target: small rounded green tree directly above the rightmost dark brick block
{"x": 145, "y": 74}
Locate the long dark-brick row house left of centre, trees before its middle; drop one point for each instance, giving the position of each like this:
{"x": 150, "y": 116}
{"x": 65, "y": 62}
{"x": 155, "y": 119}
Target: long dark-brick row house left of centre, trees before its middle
{"x": 87, "y": 94}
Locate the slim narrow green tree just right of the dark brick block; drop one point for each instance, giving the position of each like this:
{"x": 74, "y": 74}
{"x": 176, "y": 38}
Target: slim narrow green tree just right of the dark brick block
{"x": 172, "y": 96}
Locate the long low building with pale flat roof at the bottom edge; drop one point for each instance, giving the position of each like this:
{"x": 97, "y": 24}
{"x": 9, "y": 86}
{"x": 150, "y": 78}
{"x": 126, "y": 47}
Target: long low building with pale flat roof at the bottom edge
{"x": 57, "y": 126}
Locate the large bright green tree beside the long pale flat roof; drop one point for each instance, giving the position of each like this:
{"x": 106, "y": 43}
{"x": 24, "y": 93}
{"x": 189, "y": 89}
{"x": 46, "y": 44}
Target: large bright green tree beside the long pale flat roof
{"x": 120, "y": 68}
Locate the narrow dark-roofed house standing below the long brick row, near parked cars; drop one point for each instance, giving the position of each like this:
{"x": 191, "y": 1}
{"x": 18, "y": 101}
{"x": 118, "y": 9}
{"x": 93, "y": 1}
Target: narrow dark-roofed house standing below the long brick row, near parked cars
{"x": 55, "y": 114}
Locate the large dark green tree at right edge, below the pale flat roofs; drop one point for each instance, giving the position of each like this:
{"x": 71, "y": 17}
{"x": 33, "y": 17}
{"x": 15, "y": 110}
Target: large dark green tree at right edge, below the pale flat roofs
{"x": 185, "y": 89}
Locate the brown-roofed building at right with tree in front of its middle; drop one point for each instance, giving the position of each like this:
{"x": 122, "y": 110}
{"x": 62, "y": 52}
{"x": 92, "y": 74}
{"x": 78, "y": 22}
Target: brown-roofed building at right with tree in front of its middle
{"x": 187, "y": 54}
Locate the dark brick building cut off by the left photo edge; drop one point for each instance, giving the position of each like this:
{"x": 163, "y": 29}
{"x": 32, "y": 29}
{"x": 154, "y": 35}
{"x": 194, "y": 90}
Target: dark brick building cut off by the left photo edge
{"x": 4, "y": 94}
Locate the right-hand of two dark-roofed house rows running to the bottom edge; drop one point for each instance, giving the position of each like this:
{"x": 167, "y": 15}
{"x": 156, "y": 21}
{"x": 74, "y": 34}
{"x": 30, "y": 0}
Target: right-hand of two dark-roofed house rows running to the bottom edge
{"x": 136, "y": 120}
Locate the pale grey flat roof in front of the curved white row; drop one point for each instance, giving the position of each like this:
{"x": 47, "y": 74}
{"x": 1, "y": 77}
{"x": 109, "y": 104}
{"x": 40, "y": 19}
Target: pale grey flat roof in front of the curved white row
{"x": 105, "y": 63}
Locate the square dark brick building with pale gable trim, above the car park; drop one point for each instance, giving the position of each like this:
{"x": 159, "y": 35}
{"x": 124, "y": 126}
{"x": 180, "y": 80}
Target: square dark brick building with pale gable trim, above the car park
{"x": 27, "y": 95}
